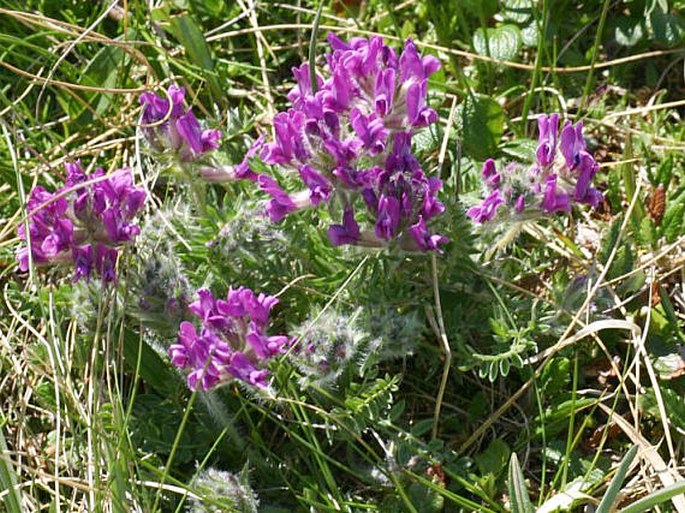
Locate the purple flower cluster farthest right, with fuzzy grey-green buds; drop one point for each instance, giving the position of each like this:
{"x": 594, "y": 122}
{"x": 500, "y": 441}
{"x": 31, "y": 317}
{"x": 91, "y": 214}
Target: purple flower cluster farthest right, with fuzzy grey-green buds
{"x": 561, "y": 174}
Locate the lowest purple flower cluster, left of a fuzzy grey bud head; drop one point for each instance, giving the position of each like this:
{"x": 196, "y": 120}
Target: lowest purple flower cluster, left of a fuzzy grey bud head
{"x": 232, "y": 342}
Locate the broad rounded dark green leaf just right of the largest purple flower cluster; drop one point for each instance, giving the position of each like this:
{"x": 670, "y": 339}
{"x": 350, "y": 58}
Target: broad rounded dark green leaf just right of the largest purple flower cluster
{"x": 481, "y": 121}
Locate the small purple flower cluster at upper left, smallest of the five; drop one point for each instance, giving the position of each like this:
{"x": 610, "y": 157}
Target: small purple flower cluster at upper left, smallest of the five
{"x": 173, "y": 128}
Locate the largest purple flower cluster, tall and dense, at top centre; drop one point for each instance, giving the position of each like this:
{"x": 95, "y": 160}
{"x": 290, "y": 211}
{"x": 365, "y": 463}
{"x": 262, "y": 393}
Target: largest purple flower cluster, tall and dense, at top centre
{"x": 349, "y": 140}
